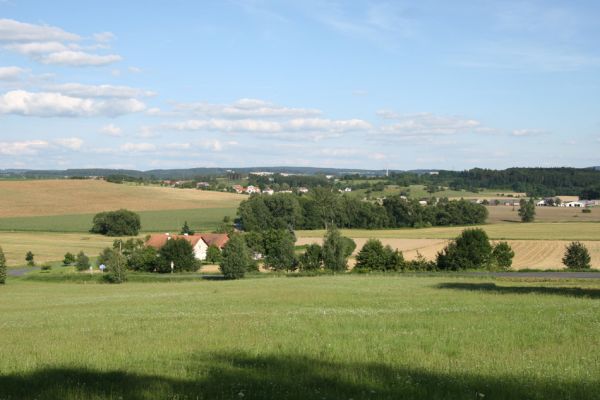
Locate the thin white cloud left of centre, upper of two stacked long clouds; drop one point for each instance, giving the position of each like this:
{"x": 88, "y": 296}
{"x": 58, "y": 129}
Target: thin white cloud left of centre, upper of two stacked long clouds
{"x": 246, "y": 108}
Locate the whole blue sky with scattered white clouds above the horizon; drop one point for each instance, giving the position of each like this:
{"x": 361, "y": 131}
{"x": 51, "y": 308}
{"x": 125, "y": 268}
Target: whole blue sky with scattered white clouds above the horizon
{"x": 361, "y": 84}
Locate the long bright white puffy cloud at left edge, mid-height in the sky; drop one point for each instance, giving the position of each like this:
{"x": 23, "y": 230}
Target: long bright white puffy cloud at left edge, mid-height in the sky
{"x": 50, "y": 104}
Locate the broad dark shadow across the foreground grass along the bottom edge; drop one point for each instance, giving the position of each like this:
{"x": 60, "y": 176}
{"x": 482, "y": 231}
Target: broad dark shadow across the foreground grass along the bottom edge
{"x": 239, "y": 376}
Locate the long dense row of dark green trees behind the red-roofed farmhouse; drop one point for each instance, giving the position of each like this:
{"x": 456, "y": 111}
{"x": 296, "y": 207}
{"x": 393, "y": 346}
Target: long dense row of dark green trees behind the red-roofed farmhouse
{"x": 324, "y": 208}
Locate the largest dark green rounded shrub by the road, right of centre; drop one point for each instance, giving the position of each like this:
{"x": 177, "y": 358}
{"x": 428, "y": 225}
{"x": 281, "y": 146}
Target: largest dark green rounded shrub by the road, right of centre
{"x": 470, "y": 250}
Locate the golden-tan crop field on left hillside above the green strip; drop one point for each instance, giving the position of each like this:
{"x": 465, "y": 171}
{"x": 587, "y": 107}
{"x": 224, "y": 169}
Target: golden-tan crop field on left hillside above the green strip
{"x": 58, "y": 197}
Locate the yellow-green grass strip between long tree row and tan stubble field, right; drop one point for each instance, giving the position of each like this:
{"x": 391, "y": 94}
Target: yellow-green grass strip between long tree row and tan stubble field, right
{"x": 507, "y": 231}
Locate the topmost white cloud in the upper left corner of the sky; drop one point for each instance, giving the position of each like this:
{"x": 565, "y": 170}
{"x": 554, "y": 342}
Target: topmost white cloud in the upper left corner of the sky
{"x": 15, "y": 31}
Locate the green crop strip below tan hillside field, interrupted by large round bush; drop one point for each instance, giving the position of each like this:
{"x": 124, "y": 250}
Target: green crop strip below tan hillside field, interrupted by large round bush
{"x": 204, "y": 219}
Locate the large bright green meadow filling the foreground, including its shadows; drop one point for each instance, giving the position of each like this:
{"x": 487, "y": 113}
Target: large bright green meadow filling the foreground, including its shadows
{"x": 332, "y": 337}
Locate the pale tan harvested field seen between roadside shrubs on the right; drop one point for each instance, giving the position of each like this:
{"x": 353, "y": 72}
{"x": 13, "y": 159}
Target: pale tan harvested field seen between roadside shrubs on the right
{"x": 534, "y": 254}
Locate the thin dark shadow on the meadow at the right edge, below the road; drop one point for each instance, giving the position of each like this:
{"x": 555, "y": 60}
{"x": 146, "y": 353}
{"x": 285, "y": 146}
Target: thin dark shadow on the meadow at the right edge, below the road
{"x": 492, "y": 287}
